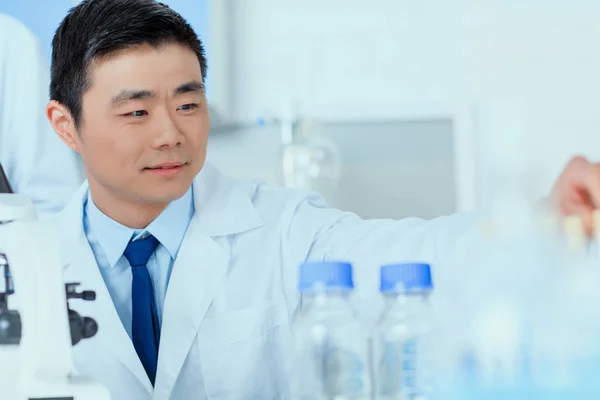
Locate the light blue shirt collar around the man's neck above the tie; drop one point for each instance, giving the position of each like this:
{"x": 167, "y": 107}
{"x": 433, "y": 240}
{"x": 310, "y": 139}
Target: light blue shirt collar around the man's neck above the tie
{"x": 169, "y": 228}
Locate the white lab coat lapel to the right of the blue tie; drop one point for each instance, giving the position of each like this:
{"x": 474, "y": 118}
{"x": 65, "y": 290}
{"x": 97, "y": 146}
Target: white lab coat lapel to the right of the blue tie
{"x": 222, "y": 209}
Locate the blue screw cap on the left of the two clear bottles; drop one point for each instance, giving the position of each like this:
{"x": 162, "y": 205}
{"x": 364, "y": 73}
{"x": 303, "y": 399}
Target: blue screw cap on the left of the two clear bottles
{"x": 325, "y": 274}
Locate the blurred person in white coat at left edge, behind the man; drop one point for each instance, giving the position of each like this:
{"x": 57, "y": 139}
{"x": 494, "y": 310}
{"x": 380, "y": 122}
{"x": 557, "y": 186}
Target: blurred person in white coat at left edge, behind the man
{"x": 35, "y": 161}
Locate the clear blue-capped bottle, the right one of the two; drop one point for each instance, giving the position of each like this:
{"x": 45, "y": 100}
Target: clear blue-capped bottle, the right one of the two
{"x": 401, "y": 337}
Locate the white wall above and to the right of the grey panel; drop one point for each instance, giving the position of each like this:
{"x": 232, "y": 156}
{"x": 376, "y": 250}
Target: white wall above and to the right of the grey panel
{"x": 521, "y": 75}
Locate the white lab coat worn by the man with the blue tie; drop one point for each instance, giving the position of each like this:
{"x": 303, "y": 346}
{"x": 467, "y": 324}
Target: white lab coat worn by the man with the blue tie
{"x": 232, "y": 292}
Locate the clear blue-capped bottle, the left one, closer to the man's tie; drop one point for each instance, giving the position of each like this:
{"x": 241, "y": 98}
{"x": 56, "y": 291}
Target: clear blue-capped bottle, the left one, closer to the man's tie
{"x": 330, "y": 346}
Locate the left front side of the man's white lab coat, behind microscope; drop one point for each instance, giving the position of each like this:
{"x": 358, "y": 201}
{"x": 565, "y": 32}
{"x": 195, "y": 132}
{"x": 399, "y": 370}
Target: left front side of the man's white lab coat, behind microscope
{"x": 80, "y": 266}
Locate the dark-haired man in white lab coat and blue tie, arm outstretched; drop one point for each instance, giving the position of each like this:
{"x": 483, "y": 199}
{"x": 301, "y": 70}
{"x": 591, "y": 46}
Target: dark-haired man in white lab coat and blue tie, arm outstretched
{"x": 195, "y": 273}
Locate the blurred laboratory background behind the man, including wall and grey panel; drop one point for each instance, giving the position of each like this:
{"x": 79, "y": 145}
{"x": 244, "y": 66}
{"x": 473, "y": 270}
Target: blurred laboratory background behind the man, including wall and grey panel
{"x": 392, "y": 108}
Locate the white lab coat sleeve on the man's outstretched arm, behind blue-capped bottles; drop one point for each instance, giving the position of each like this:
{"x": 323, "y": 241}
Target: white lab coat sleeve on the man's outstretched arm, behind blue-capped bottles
{"x": 320, "y": 233}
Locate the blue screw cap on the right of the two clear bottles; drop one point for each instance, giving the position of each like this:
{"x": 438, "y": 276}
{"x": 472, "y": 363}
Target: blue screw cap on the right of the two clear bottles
{"x": 406, "y": 277}
